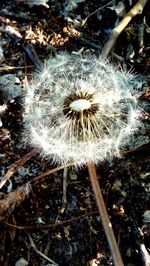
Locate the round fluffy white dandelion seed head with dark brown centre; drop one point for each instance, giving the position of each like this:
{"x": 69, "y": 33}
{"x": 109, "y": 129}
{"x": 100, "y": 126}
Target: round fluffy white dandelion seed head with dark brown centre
{"x": 80, "y": 109}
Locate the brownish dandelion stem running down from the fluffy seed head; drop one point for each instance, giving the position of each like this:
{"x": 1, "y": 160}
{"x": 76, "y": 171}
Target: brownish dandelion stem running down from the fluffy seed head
{"x": 104, "y": 216}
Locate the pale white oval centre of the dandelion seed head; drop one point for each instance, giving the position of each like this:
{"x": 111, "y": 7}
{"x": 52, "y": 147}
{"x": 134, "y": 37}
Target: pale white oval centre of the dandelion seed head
{"x": 80, "y": 105}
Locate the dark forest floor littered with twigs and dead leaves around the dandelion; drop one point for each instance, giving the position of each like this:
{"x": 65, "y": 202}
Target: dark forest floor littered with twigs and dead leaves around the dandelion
{"x": 36, "y": 227}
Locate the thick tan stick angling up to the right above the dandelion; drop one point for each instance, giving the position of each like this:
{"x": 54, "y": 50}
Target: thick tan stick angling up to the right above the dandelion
{"x": 136, "y": 10}
